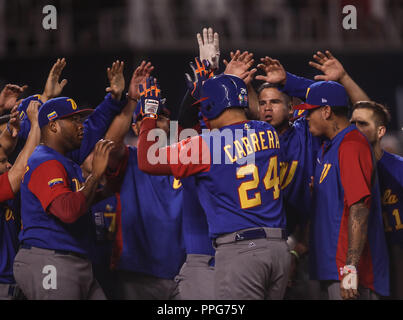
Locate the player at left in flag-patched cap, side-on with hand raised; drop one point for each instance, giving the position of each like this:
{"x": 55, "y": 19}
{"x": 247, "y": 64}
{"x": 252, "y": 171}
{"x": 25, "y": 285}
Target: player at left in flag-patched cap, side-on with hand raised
{"x": 55, "y": 234}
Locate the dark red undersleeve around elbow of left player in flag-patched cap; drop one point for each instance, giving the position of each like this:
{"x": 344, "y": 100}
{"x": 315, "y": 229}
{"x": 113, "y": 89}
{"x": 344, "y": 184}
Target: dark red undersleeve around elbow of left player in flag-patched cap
{"x": 68, "y": 207}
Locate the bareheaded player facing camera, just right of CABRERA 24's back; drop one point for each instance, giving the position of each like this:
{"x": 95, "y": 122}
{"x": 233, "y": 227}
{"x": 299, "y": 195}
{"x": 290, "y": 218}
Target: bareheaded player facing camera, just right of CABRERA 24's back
{"x": 299, "y": 150}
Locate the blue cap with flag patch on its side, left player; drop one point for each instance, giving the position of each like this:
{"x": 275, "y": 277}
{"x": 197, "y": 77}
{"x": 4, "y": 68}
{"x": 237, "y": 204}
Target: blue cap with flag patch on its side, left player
{"x": 59, "y": 108}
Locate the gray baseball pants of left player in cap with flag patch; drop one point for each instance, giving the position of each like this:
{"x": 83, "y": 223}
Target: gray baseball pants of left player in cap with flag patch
{"x": 46, "y": 275}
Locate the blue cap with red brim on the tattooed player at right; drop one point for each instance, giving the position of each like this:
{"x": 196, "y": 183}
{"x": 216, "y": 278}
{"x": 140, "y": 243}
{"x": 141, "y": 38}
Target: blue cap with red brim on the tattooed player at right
{"x": 324, "y": 93}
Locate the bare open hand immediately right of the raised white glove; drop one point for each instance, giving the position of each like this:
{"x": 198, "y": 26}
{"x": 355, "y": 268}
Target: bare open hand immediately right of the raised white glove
{"x": 240, "y": 65}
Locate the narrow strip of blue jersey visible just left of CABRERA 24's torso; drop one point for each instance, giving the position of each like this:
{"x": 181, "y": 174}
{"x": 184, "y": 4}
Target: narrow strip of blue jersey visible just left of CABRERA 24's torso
{"x": 195, "y": 227}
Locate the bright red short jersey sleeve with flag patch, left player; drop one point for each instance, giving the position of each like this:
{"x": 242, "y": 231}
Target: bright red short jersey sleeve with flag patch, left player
{"x": 49, "y": 181}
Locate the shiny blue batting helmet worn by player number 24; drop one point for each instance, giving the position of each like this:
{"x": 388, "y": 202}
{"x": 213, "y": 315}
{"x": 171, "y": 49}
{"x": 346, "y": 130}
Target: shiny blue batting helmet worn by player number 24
{"x": 223, "y": 92}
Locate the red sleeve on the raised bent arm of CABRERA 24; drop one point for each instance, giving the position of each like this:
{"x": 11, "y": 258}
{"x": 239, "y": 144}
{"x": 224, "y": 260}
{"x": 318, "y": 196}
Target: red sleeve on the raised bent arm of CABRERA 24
{"x": 181, "y": 160}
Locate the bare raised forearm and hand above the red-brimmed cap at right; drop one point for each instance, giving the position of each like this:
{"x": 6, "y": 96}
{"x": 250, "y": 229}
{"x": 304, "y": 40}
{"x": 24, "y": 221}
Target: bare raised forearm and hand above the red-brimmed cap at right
{"x": 333, "y": 70}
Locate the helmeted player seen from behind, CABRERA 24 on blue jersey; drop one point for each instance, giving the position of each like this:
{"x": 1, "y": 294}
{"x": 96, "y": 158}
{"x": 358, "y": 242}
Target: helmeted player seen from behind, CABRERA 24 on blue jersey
{"x": 242, "y": 199}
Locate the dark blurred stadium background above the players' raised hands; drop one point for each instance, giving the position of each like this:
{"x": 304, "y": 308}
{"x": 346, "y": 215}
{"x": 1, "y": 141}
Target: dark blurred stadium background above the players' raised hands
{"x": 92, "y": 34}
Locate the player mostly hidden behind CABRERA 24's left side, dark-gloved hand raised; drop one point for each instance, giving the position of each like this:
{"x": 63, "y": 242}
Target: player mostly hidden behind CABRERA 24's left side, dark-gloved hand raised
{"x": 196, "y": 277}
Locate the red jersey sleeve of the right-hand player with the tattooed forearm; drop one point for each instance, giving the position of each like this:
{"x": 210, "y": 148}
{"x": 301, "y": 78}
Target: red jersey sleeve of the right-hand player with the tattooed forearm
{"x": 356, "y": 168}
